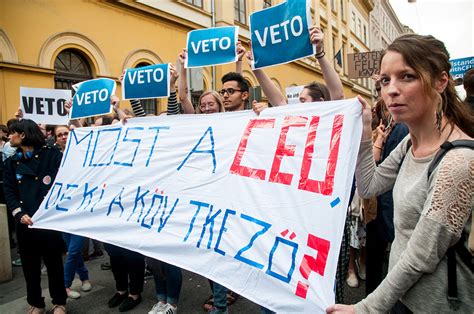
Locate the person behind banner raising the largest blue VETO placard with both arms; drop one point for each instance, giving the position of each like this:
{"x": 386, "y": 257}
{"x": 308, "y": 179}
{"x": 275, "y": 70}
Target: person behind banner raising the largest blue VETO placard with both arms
{"x": 313, "y": 91}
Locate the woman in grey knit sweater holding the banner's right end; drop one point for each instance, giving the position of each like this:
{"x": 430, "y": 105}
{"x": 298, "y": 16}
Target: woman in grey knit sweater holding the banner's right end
{"x": 432, "y": 201}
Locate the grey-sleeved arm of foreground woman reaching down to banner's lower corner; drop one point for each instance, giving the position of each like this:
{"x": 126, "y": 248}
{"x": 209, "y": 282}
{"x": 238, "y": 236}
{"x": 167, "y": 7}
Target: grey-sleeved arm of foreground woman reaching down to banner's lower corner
{"x": 443, "y": 217}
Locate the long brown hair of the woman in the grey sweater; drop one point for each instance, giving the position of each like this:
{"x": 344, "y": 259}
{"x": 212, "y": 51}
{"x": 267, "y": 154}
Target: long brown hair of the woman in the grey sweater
{"x": 429, "y": 58}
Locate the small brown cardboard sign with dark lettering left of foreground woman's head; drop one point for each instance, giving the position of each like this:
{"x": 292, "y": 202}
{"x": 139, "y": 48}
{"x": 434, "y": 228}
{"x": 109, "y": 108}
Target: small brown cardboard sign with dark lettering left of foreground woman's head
{"x": 363, "y": 64}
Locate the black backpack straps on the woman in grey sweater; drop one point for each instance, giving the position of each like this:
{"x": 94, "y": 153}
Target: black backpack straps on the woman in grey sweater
{"x": 463, "y": 252}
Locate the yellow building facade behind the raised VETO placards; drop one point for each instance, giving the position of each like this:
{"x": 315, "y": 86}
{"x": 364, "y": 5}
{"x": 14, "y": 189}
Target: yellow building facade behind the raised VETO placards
{"x": 55, "y": 43}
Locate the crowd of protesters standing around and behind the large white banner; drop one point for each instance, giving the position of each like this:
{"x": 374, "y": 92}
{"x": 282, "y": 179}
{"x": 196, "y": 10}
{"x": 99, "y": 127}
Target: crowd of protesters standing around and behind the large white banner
{"x": 403, "y": 202}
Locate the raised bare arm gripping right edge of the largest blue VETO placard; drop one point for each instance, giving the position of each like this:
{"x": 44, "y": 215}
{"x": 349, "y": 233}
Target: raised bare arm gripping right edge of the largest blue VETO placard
{"x": 330, "y": 76}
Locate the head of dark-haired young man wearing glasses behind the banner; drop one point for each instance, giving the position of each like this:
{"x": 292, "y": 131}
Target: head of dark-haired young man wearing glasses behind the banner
{"x": 234, "y": 92}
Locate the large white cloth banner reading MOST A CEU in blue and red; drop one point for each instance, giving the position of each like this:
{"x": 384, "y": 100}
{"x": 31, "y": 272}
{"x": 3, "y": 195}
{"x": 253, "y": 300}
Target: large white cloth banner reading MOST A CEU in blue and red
{"x": 256, "y": 204}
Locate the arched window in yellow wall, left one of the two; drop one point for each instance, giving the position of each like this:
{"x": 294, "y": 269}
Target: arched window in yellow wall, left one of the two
{"x": 71, "y": 68}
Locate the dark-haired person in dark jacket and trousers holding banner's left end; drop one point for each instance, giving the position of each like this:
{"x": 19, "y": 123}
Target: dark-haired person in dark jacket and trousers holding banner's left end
{"x": 28, "y": 176}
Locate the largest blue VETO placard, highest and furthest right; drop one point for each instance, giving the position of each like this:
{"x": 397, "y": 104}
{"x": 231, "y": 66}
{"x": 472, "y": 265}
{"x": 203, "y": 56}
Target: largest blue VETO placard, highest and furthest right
{"x": 280, "y": 34}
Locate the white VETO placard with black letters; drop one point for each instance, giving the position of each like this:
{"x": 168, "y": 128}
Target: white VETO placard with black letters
{"x": 44, "y": 105}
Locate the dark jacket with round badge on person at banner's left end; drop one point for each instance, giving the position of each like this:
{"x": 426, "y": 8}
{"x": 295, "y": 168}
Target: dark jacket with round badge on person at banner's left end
{"x": 27, "y": 180}
